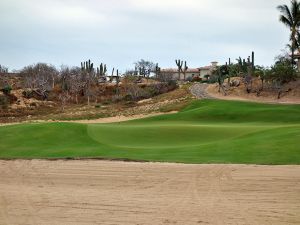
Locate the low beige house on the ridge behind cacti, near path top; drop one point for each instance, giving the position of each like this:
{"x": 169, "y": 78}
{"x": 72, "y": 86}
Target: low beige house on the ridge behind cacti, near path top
{"x": 190, "y": 73}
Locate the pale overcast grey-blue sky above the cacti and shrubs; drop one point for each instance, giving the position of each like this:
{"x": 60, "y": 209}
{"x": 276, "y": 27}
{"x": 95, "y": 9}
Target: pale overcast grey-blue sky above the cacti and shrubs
{"x": 120, "y": 32}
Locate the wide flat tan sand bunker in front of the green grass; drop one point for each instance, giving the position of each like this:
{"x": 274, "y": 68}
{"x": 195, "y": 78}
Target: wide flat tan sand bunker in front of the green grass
{"x": 103, "y": 192}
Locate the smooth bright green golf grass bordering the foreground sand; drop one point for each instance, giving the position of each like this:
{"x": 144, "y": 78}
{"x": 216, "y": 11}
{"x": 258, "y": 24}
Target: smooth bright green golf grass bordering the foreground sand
{"x": 208, "y": 131}
